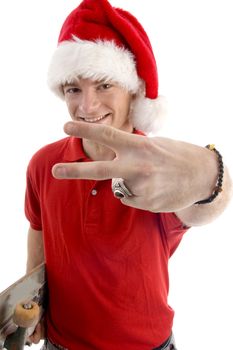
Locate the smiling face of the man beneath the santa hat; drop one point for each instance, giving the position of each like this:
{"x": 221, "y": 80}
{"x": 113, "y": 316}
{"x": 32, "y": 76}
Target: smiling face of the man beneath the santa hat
{"x": 99, "y": 102}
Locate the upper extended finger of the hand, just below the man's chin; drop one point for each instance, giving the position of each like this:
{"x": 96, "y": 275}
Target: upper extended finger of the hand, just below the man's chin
{"x": 106, "y": 135}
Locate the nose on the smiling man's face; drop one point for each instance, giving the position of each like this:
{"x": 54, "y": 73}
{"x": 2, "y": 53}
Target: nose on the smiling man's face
{"x": 89, "y": 102}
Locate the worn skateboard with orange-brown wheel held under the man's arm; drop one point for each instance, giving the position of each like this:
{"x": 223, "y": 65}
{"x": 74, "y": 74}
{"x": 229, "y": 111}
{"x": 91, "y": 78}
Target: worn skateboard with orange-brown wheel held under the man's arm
{"x": 21, "y": 306}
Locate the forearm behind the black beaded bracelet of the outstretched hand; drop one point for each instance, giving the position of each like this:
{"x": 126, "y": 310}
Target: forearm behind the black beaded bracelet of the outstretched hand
{"x": 202, "y": 214}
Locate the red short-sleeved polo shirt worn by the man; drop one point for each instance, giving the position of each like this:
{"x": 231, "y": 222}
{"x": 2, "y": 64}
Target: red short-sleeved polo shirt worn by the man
{"x": 107, "y": 263}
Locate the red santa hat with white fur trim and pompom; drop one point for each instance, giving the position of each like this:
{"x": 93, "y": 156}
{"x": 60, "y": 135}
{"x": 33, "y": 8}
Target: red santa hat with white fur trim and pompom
{"x": 99, "y": 41}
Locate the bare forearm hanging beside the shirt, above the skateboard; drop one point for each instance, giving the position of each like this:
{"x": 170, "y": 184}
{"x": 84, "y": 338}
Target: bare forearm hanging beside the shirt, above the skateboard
{"x": 35, "y": 249}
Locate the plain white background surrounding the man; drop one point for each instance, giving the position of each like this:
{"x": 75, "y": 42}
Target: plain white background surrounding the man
{"x": 193, "y": 47}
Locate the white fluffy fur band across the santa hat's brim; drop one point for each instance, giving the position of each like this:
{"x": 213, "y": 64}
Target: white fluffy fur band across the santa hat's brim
{"x": 95, "y": 60}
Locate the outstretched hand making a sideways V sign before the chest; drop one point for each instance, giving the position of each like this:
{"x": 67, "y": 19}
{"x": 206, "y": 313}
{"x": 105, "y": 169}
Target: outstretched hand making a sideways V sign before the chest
{"x": 163, "y": 174}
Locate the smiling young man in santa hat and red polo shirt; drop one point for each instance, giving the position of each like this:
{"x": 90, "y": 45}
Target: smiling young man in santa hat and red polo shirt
{"x": 107, "y": 205}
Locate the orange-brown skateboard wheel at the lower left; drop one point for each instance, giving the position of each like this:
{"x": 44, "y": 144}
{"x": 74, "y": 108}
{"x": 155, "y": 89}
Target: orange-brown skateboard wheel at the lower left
{"x": 25, "y": 316}
